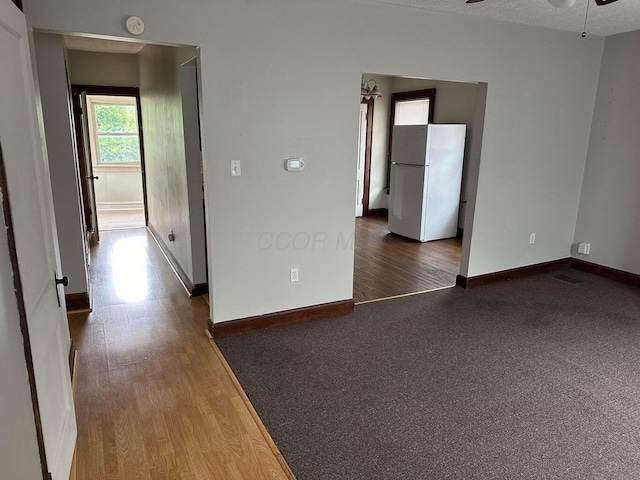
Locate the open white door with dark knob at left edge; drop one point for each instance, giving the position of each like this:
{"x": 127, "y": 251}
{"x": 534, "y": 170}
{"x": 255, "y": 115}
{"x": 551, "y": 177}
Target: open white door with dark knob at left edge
{"x": 37, "y": 249}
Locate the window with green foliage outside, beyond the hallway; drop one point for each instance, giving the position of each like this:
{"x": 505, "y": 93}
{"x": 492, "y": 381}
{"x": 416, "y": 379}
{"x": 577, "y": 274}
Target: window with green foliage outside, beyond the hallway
{"x": 113, "y": 123}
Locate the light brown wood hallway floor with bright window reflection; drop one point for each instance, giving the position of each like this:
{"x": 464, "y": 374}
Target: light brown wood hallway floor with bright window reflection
{"x": 154, "y": 397}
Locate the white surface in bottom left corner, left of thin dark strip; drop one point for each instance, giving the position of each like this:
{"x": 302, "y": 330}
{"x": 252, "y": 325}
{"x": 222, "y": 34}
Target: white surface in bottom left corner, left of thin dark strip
{"x": 19, "y": 457}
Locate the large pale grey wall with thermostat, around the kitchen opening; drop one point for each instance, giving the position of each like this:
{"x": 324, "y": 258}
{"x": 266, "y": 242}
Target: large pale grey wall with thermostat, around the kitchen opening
{"x": 282, "y": 78}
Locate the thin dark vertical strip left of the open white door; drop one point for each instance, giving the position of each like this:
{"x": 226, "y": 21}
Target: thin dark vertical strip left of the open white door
{"x": 22, "y": 313}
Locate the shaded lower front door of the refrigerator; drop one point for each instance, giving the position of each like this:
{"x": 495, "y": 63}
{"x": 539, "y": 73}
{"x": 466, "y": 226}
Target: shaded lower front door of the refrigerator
{"x": 406, "y": 196}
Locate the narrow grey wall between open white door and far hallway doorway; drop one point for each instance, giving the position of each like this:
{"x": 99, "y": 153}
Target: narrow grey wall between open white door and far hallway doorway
{"x": 54, "y": 92}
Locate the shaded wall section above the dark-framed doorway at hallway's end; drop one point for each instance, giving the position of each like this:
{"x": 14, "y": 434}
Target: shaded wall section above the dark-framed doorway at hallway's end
{"x": 105, "y": 69}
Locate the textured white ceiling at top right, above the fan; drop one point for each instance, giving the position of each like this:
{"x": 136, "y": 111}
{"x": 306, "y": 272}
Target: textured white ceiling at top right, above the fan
{"x": 622, "y": 16}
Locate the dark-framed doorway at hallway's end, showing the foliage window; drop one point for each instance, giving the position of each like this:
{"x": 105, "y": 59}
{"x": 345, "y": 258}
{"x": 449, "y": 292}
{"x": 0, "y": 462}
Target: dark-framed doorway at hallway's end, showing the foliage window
{"x": 111, "y": 158}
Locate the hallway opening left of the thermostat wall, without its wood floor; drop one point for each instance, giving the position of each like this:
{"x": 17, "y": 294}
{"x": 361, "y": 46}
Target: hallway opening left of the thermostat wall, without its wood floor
{"x": 135, "y": 178}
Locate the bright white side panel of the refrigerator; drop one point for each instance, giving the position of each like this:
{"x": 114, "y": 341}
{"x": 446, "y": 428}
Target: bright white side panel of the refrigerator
{"x": 445, "y": 152}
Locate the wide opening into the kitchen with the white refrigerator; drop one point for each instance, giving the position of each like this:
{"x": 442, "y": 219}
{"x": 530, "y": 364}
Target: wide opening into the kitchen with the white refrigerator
{"x": 391, "y": 264}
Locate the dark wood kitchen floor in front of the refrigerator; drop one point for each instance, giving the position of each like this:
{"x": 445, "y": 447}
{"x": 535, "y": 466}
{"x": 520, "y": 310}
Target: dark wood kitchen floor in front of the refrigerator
{"x": 387, "y": 265}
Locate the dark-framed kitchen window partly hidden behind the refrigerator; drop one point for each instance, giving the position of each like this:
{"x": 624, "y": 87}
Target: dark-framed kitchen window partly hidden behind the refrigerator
{"x": 409, "y": 108}
